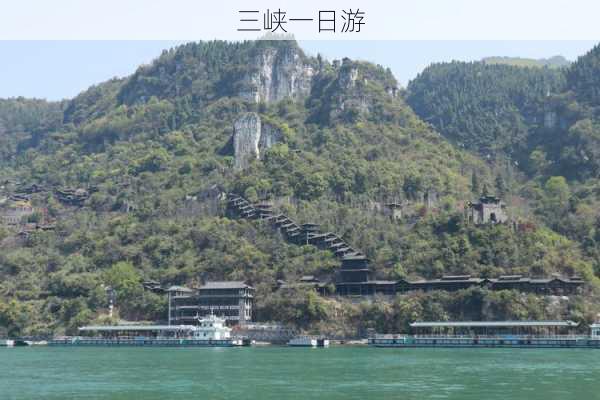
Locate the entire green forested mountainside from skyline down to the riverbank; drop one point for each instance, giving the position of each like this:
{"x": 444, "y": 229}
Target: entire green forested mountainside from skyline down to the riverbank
{"x": 151, "y": 150}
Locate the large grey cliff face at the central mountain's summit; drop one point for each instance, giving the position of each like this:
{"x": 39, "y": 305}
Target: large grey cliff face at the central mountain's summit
{"x": 279, "y": 74}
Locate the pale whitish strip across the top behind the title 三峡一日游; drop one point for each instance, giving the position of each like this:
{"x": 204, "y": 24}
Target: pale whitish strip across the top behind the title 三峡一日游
{"x": 383, "y": 19}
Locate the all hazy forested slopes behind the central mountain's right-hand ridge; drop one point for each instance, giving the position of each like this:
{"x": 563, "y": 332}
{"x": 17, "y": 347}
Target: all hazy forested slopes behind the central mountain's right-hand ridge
{"x": 549, "y": 132}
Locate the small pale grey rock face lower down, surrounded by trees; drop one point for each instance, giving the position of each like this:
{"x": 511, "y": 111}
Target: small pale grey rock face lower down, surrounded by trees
{"x": 251, "y": 137}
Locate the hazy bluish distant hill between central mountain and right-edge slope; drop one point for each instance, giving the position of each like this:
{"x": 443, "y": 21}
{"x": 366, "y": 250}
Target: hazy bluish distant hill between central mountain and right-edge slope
{"x": 492, "y": 109}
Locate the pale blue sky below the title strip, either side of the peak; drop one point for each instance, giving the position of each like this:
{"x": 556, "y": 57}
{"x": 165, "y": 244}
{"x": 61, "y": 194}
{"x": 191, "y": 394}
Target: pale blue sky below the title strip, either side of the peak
{"x": 57, "y": 70}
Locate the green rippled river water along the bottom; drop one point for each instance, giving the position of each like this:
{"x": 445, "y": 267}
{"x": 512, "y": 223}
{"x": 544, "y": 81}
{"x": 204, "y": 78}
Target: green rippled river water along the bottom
{"x": 298, "y": 373}
